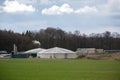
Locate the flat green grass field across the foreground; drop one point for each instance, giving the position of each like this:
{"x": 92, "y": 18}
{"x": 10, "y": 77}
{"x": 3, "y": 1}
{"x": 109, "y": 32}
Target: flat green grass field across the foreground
{"x": 64, "y": 69}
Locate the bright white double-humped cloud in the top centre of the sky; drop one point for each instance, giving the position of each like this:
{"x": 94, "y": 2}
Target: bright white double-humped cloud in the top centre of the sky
{"x": 56, "y": 10}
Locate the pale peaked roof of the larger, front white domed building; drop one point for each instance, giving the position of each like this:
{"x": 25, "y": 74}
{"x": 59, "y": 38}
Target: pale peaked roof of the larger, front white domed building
{"x": 56, "y": 50}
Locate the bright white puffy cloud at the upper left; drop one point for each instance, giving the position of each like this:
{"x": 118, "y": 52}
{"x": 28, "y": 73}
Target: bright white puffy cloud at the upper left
{"x": 14, "y": 6}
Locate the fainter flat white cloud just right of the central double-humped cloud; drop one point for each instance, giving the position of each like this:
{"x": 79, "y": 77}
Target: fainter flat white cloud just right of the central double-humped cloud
{"x": 86, "y": 10}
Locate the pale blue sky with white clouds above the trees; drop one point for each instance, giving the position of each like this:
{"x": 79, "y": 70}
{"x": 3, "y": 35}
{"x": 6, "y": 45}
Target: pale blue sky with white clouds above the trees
{"x": 86, "y": 16}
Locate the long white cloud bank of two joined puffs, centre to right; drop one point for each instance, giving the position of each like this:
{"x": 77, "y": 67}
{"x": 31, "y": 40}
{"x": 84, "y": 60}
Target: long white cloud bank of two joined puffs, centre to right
{"x": 67, "y": 9}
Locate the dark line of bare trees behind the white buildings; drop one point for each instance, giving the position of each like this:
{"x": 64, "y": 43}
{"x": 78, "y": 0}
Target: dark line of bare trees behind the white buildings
{"x": 52, "y": 37}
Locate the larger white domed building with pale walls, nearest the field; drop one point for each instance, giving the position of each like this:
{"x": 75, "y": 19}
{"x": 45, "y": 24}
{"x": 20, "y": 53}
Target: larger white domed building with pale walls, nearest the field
{"x": 57, "y": 52}
